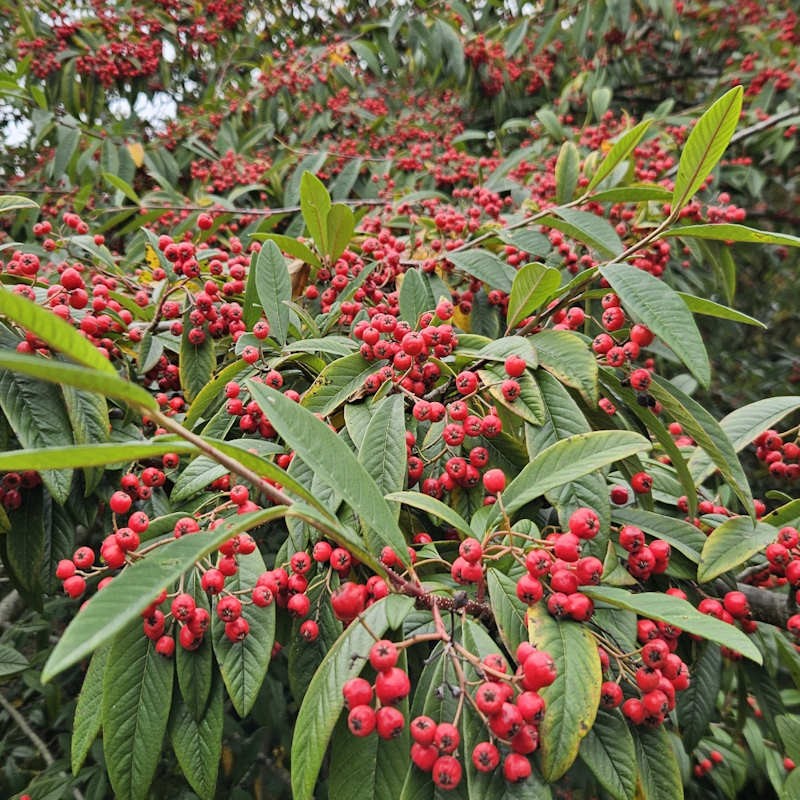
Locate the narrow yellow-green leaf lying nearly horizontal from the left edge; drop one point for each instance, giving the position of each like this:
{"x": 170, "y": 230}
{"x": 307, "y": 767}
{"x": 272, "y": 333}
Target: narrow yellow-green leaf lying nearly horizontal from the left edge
{"x": 89, "y": 455}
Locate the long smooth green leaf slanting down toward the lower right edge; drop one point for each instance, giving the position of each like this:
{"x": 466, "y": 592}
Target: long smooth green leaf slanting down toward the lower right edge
{"x": 678, "y": 613}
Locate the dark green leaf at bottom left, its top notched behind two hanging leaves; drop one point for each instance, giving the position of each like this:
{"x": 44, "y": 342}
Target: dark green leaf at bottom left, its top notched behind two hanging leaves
{"x": 198, "y": 743}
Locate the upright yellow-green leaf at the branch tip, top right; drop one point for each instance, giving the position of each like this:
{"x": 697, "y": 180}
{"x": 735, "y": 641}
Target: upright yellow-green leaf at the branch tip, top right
{"x": 705, "y": 146}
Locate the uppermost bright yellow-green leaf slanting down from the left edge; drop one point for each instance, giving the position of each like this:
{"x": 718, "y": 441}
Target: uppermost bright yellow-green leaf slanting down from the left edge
{"x": 60, "y": 335}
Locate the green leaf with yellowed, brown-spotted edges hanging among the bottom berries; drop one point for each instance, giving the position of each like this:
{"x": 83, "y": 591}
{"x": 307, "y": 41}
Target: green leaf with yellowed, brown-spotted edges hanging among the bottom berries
{"x": 573, "y": 698}
